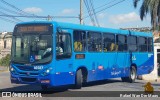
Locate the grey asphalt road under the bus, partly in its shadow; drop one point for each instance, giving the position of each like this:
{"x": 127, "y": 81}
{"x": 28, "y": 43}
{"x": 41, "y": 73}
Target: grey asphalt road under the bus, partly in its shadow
{"x": 107, "y": 85}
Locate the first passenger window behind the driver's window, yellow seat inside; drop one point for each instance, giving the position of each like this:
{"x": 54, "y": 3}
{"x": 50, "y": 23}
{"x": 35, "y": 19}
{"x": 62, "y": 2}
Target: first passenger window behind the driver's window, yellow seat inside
{"x": 79, "y": 41}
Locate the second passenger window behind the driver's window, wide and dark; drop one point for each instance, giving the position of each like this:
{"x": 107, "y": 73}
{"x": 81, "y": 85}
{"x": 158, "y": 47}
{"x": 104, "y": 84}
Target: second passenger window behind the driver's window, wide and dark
{"x": 94, "y": 42}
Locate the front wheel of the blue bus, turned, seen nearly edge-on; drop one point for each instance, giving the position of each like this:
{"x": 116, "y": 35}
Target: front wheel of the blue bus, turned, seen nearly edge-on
{"x": 78, "y": 81}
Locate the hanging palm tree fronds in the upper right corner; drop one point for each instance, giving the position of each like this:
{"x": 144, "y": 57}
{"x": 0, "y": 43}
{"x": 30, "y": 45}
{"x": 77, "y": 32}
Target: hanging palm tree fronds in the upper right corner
{"x": 152, "y": 7}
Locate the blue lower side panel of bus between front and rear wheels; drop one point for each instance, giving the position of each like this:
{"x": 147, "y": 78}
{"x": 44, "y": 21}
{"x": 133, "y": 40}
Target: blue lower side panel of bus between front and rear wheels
{"x": 105, "y": 65}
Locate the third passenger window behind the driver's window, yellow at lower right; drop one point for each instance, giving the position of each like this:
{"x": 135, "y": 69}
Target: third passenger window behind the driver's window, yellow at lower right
{"x": 109, "y": 42}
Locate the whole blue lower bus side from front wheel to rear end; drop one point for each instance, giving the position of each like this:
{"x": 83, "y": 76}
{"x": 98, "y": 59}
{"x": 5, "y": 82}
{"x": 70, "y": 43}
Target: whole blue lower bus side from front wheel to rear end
{"x": 115, "y": 64}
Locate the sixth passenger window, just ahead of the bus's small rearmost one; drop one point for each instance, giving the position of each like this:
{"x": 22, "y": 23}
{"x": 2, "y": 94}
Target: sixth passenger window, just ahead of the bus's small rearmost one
{"x": 142, "y": 42}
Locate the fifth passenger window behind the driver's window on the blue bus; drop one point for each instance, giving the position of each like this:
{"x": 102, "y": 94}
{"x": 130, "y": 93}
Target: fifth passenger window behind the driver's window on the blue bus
{"x": 132, "y": 43}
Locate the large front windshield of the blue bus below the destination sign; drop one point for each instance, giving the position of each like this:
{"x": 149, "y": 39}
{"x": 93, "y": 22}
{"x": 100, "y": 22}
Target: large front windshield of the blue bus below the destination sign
{"x": 32, "y": 48}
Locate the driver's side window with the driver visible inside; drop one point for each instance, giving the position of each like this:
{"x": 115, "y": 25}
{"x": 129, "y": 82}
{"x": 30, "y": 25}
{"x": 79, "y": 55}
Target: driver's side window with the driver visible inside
{"x": 63, "y": 46}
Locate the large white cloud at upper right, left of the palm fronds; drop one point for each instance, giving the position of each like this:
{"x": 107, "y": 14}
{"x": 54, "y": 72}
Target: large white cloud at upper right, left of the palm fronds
{"x": 124, "y": 18}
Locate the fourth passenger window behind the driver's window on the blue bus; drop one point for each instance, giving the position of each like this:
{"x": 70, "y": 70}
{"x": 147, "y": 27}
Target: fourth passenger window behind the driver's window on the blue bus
{"x": 122, "y": 43}
